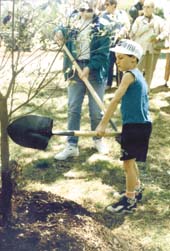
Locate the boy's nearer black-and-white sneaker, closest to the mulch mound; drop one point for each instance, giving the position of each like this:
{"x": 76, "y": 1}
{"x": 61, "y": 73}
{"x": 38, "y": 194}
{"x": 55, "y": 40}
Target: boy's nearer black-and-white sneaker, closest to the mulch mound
{"x": 124, "y": 205}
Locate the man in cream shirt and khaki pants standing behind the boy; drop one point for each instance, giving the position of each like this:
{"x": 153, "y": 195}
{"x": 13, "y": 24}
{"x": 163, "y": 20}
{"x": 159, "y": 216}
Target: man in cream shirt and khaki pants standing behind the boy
{"x": 149, "y": 31}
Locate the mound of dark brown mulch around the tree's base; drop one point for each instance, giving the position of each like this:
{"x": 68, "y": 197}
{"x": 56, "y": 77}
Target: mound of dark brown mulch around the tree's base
{"x": 43, "y": 222}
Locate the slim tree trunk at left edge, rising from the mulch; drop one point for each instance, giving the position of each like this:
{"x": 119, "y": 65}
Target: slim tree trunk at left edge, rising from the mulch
{"x": 6, "y": 192}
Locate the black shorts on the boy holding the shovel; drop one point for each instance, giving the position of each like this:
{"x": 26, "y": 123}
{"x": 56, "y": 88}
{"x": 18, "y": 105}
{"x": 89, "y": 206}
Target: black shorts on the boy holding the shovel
{"x": 135, "y": 141}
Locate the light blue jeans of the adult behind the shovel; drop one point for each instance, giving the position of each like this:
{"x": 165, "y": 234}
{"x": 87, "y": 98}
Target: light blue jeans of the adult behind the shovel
{"x": 76, "y": 93}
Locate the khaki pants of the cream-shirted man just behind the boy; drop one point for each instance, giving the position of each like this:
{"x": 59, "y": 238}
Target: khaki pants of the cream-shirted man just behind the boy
{"x": 148, "y": 65}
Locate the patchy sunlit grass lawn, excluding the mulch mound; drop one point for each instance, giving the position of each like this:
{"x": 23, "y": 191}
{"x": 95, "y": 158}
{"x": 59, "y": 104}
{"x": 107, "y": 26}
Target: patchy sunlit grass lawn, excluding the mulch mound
{"x": 91, "y": 180}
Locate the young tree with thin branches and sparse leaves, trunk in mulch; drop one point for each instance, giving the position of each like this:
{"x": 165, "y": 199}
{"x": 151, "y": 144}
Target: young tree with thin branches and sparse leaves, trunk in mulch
{"x": 23, "y": 78}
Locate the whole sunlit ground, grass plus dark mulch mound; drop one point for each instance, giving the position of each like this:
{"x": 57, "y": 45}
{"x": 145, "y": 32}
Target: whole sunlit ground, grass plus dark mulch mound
{"x": 61, "y": 205}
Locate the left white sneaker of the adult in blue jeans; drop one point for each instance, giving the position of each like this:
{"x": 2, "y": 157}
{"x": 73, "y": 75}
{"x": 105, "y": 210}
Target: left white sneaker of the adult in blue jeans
{"x": 69, "y": 151}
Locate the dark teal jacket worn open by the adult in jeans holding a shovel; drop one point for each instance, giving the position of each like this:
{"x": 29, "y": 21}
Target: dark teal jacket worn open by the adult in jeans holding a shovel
{"x": 99, "y": 50}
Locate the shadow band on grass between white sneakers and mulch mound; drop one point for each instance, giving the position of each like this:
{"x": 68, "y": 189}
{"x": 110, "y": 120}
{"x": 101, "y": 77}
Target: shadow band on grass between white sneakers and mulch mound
{"x": 48, "y": 170}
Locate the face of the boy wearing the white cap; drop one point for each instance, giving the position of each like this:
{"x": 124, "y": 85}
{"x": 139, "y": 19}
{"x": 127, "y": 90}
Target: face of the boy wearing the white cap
{"x": 125, "y": 62}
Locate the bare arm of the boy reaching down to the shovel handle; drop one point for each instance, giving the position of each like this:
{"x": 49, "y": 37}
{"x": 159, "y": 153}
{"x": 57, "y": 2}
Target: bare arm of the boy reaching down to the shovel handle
{"x": 127, "y": 80}
